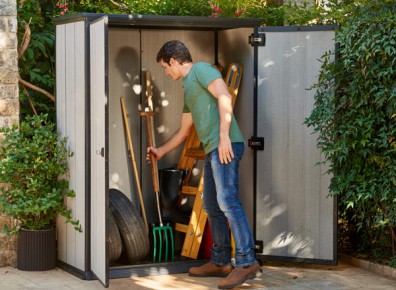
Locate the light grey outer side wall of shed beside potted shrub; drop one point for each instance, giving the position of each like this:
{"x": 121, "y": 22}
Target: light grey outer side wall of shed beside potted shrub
{"x": 70, "y": 69}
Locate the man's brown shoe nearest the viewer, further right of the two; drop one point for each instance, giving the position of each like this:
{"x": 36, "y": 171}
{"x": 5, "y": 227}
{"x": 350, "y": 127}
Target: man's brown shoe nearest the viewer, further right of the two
{"x": 239, "y": 275}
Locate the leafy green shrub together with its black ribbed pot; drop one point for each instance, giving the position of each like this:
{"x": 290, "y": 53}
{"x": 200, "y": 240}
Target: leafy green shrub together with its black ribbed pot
{"x": 33, "y": 169}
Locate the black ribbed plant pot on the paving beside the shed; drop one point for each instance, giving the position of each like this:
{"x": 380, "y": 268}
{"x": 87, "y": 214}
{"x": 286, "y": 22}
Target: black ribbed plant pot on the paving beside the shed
{"x": 36, "y": 249}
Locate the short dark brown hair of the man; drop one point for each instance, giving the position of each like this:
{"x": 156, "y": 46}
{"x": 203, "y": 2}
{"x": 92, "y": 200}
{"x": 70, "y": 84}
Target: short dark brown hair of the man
{"x": 174, "y": 49}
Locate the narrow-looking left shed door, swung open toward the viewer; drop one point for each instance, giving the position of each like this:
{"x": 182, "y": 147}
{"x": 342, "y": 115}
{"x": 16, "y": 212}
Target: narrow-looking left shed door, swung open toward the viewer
{"x": 99, "y": 184}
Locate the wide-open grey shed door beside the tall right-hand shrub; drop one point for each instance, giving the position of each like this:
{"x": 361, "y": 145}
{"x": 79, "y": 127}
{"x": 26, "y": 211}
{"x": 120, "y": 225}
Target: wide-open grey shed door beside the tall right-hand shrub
{"x": 296, "y": 220}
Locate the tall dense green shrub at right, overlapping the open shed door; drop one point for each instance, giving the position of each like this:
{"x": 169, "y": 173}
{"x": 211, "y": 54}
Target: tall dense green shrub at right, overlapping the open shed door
{"x": 355, "y": 115}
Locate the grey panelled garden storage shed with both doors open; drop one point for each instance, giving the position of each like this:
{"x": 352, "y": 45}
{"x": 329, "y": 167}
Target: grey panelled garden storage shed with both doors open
{"x": 101, "y": 58}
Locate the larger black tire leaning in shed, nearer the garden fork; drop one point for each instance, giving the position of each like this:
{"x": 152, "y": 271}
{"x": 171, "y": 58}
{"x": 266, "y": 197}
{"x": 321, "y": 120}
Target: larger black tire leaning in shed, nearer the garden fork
{"x": 131, "y": 226}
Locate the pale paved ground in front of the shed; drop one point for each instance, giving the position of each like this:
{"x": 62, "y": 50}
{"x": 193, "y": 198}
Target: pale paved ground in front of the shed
{"x": 277, "y": 276}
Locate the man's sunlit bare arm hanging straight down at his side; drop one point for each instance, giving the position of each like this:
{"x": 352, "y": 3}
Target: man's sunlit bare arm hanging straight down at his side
{"x": 219, "y": 90}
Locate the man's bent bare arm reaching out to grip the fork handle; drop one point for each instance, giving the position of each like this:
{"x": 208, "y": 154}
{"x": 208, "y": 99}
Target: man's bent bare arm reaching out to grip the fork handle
{"x": 175, "y": 140}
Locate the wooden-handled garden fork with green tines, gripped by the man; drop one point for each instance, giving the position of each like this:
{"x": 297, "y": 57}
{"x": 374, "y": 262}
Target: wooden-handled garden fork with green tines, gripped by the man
{"x": 161, "y": 231}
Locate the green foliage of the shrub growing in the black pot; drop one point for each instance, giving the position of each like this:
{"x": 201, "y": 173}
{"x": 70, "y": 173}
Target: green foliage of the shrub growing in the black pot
{"x": 33, "y": 164}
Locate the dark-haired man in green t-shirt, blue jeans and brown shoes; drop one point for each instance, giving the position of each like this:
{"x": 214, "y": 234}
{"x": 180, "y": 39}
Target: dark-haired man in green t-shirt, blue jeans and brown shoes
{"x": 207, "y": 105}
